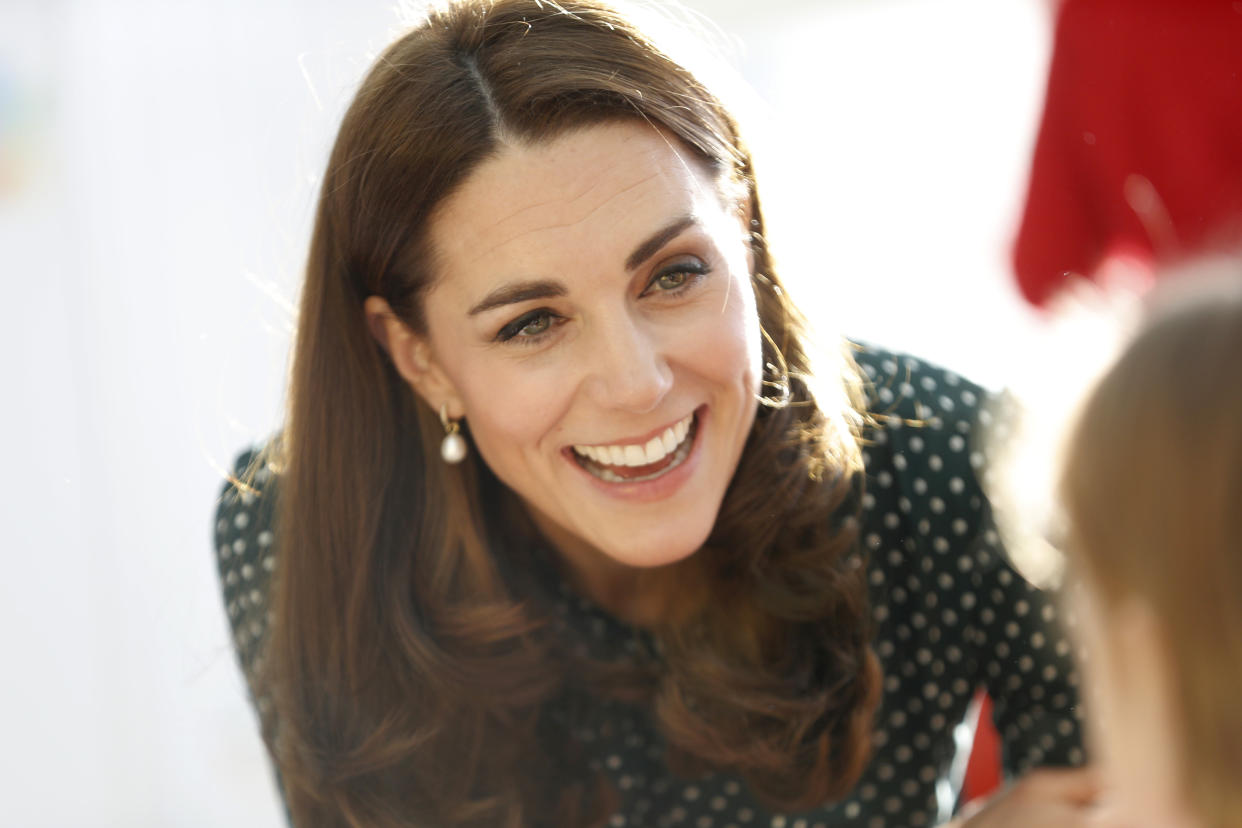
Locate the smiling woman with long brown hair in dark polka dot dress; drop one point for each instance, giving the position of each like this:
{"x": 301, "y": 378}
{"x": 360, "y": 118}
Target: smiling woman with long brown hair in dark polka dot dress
{"x": 566, "y": 533}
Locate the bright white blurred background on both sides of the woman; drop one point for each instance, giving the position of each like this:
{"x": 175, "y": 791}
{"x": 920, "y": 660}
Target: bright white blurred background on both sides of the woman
{"x": 158, "y": 169}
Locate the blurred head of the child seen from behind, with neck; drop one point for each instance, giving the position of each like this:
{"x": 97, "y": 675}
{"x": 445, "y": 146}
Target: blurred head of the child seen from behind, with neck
{"x": 1153, "y": 495}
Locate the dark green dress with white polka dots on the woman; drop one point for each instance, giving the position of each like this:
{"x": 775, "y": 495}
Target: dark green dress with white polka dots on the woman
{"x": 951, "y": 615}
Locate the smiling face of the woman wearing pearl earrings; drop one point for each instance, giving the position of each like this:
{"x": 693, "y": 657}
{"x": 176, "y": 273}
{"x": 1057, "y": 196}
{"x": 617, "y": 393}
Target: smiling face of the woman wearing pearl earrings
{"x": 593, "y": 320}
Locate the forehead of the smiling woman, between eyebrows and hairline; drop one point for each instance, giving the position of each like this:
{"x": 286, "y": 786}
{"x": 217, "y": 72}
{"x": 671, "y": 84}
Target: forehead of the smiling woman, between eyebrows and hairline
{"x": 596, "y": 191}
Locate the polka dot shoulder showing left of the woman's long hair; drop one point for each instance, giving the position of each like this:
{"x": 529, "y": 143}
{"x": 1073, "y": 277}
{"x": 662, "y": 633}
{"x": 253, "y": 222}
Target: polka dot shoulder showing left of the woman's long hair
{"x": 245, "y": 551}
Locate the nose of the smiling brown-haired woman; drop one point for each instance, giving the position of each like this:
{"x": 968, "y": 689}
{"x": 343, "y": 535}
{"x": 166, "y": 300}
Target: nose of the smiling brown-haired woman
{"x": 627, "y": 366}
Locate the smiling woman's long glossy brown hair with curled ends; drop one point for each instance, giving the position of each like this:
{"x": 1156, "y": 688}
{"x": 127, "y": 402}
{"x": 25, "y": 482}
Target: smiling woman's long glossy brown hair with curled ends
{"x": 410, "y": 656}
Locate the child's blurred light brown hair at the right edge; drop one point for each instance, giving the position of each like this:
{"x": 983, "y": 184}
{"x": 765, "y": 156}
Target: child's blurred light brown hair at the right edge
{"x": 1153, "y": 490}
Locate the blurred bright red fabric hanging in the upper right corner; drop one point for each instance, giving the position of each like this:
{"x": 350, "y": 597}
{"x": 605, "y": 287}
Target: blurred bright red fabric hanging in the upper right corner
{"x": 1140, "y": 151}
